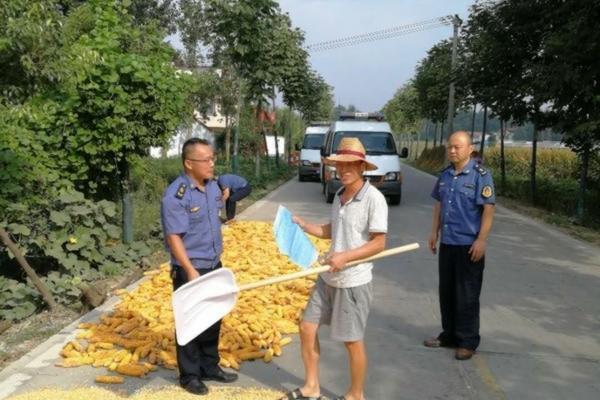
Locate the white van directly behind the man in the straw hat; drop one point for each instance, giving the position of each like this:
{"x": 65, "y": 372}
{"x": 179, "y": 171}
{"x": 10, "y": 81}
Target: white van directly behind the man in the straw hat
{"x": 378, "y": 140}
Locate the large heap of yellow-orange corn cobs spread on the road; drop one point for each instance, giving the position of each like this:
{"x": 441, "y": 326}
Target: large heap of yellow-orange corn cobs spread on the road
{"x": 139, "y": 334}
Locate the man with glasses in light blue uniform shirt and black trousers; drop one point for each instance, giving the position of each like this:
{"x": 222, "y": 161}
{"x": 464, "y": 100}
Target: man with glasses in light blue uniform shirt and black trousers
{"x": 192, "y": 232}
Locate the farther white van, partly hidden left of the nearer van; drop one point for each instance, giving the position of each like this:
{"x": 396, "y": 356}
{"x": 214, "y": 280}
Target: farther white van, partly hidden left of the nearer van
{"x": 310, "y": 152}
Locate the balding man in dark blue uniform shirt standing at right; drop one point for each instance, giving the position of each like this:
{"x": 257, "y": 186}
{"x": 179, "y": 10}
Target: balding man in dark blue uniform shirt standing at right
{"x": 463, "y": 214}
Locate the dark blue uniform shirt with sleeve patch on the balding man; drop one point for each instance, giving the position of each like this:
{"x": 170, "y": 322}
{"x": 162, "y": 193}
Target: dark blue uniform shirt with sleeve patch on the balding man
{"x": 461, "y": 200}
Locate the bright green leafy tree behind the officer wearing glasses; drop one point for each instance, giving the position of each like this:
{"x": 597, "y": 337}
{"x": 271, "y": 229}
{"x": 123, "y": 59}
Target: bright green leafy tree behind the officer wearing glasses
{"x": 118, "y": 97}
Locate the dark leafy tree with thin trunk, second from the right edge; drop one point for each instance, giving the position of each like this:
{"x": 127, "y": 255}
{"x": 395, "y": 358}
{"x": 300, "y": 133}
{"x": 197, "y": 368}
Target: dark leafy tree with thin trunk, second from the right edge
{"x": 509, "y": 85}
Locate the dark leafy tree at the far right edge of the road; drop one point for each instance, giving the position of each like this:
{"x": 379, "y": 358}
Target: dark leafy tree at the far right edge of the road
{"x": 571, "y": 68}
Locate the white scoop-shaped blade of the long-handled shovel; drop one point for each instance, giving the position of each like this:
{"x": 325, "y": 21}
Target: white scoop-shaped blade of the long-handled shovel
{"x": 200, "y": 303}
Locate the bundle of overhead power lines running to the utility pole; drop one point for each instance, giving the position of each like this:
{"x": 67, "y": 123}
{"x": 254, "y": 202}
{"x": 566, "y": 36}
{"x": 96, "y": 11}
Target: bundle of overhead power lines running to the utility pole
{"x": 382, "y": 34}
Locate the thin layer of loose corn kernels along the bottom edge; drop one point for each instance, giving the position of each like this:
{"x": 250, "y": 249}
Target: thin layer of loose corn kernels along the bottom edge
{"x": 215, "y": 393}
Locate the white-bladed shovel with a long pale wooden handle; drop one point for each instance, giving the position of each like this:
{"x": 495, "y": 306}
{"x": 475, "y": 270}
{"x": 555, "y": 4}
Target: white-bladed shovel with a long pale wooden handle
{"x": 200, "y": 303}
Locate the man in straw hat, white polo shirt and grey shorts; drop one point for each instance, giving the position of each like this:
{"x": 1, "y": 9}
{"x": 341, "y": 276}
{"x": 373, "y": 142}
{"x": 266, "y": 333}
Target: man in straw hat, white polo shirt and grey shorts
{"x": 342, "y": 296}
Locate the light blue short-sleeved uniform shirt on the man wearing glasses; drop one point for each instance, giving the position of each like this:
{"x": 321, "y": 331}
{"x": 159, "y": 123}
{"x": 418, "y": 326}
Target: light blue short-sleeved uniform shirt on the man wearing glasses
{"x": 193, "y": 214}
